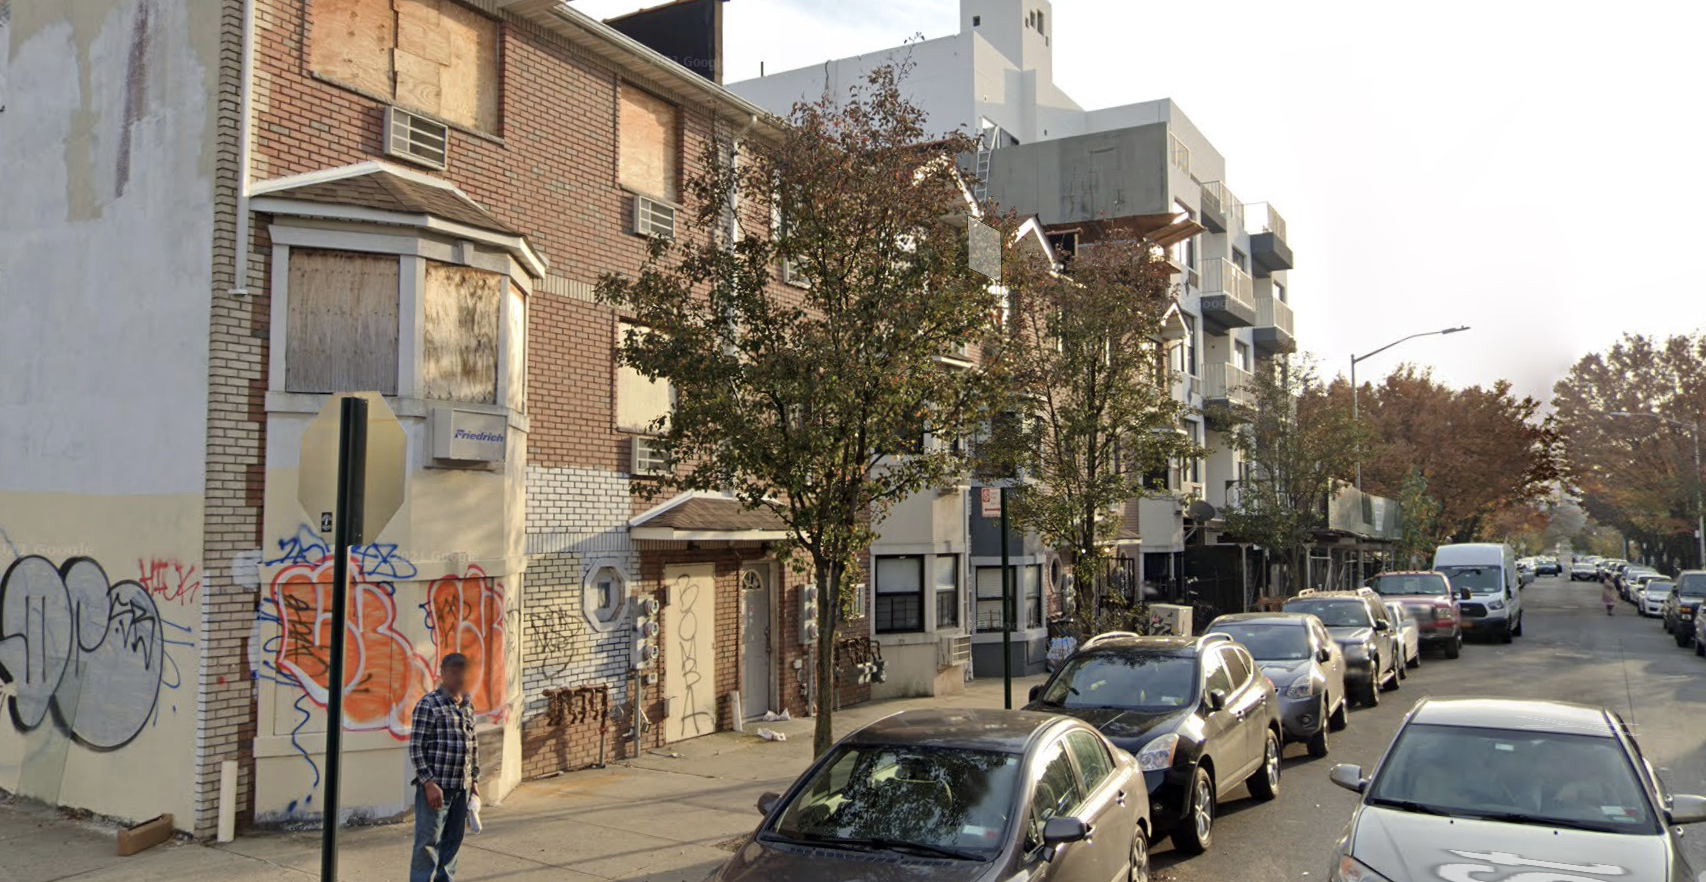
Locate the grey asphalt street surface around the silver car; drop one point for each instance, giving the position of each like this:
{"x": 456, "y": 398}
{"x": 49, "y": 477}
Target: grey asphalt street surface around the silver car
{"x": 1570, "y": 653}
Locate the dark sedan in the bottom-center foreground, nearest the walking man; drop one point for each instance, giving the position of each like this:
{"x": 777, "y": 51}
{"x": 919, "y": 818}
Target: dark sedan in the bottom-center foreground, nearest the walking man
{"x": 968, "y": 796}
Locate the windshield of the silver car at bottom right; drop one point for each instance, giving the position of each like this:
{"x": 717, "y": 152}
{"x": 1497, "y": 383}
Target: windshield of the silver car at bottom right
{"x": 1521, "y": 777}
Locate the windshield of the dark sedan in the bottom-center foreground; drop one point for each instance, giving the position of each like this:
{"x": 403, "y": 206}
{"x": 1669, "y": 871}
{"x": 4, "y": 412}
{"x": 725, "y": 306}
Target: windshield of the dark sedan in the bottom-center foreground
{"x": 934, "y": 798}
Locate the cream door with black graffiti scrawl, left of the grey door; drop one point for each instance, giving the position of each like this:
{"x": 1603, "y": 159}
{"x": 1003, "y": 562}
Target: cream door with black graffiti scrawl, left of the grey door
{"x": 690, "y": 651}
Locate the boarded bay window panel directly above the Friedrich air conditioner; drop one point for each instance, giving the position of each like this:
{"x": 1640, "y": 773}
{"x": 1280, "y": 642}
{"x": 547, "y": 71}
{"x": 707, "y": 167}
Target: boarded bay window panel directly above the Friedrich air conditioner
{"x": 460, "y": 342}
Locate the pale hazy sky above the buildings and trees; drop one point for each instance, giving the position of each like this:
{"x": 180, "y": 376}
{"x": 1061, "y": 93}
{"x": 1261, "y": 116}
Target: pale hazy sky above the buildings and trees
{"x": 1526, "y": 168}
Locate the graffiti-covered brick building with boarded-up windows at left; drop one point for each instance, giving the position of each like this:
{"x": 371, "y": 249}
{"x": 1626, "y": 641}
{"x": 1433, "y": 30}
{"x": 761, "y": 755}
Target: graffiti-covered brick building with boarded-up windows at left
{"x": 316, "y": 197}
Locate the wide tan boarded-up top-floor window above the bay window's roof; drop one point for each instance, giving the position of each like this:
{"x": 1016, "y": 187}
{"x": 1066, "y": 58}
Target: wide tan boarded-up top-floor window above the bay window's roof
{"x": 438, "y": 57}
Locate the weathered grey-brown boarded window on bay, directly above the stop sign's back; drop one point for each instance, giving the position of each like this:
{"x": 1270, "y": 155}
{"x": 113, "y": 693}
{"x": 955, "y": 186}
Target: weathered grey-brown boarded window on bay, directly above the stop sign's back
{"x": 342, "y": 325}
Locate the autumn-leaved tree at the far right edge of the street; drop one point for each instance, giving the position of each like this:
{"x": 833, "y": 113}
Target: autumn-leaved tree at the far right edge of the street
{"x": 1637, "y": 473}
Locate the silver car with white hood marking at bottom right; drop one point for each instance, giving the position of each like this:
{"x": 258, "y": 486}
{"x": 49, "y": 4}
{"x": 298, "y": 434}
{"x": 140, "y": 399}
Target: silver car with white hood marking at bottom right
{"x": 1506, "y": 789}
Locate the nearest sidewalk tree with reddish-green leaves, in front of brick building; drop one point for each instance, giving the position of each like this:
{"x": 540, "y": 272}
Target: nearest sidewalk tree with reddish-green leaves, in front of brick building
{"x": 828, "y": 400}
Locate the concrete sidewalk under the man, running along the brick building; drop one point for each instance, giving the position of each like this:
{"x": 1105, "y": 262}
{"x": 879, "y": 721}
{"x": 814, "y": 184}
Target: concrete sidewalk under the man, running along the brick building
{"x": 668, "y": 816}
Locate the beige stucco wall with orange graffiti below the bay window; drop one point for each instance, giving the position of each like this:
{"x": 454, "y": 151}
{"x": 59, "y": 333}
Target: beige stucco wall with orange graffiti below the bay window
{"x": 444, "y": 576}
